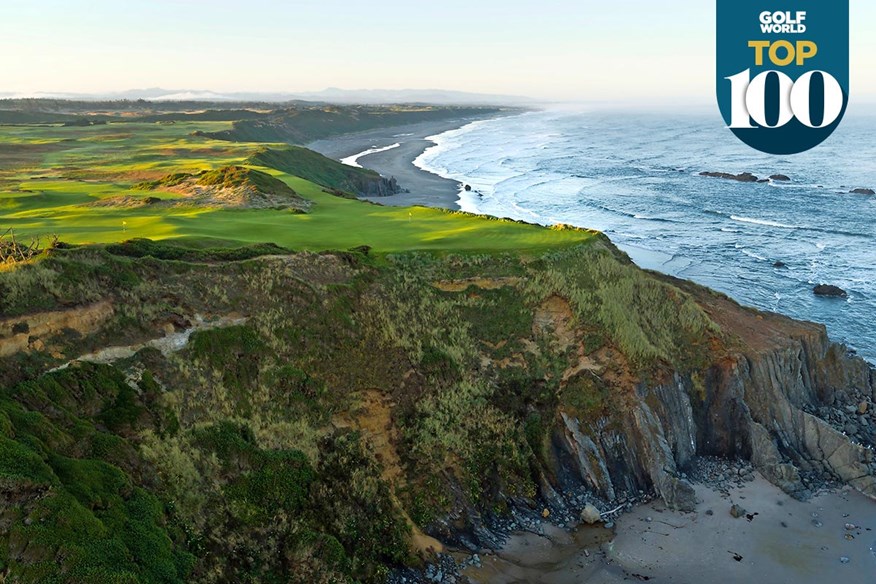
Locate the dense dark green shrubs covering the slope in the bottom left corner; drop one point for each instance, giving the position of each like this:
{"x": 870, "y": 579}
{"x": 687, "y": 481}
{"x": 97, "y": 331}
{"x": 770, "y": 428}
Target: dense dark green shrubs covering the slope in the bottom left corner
{"x": 79, "y": 516}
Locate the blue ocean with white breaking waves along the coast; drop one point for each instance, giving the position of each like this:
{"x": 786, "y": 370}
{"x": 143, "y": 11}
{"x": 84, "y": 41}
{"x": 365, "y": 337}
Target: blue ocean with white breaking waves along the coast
{"x": 636, "y": 178}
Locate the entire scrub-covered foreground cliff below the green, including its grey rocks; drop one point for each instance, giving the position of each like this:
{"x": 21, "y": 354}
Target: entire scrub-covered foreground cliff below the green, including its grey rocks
{"x": 263, "y": 414}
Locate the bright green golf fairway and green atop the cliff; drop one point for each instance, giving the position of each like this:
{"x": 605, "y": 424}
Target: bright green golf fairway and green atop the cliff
{"x": 50, "y": 175}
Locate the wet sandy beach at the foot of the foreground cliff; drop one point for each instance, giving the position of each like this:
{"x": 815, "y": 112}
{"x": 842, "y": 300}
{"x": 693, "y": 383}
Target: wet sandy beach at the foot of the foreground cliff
{"x": 785, "y": 541}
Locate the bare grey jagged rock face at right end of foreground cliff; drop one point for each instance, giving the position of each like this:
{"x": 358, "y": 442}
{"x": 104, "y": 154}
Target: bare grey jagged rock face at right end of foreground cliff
{"x": 751, "y": 405}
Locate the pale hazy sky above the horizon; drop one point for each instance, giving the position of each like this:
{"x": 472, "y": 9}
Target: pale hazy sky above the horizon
{"x": 555, "y": 49}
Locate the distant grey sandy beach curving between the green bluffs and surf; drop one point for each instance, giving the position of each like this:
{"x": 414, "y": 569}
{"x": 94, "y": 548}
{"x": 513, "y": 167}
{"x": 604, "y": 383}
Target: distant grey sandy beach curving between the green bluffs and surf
{"x": 424, "y": 188}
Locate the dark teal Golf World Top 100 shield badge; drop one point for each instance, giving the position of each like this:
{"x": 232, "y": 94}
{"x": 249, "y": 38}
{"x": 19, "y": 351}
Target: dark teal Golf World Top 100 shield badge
{"x": 783, "y": 71}
